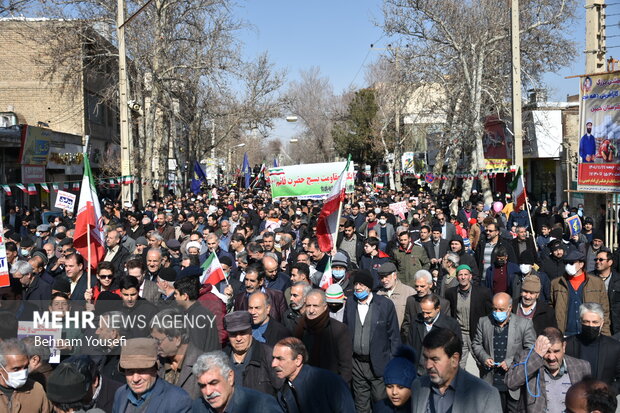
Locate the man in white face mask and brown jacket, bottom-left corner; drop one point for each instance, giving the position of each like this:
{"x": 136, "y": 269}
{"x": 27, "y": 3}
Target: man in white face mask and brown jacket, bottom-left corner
{"x": 19, "y": 392}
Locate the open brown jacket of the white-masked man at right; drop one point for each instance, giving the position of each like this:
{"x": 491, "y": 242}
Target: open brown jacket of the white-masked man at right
{"x": 593, "y": 292}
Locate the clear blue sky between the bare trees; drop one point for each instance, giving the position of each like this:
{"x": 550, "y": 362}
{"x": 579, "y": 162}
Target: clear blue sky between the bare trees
{"x": 336, "y": 36}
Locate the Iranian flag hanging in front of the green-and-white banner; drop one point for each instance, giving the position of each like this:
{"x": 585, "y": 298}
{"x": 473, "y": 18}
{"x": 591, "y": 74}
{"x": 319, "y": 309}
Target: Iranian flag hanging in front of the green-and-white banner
{"x": 327, "y": 224}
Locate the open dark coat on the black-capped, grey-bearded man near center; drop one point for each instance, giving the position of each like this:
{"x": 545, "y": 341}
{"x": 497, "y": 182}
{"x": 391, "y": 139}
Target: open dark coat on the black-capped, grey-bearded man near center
{"x": 384, "y": 336}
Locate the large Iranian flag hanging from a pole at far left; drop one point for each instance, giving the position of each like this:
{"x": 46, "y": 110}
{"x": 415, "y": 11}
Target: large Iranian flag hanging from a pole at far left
{"x": 89, "y": 223}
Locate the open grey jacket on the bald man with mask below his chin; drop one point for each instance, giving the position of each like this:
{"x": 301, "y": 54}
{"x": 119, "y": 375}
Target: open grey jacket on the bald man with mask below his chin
{"x": 521, "y": 336}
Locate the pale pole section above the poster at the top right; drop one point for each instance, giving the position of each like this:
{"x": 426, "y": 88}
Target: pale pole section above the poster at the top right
{"x": 595, "y": 36}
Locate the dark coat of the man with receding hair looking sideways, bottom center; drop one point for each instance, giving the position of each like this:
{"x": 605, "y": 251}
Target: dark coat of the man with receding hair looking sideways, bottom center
{"x": 317, "y": 390}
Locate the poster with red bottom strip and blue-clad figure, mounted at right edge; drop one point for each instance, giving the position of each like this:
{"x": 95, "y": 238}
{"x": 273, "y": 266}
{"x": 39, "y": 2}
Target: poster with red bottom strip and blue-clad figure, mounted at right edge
{"x": 599, "y": 122}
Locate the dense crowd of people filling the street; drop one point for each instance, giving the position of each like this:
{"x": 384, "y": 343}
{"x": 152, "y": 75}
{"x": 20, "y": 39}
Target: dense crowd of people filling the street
{"x": 452, "y": 306}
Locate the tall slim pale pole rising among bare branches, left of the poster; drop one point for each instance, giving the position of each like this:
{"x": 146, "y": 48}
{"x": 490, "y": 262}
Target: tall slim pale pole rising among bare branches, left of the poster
{"x": 516, "y": 84}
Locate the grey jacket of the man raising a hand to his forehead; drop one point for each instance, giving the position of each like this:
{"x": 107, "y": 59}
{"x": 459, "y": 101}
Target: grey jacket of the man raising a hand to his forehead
{"x": 515, "y": 379}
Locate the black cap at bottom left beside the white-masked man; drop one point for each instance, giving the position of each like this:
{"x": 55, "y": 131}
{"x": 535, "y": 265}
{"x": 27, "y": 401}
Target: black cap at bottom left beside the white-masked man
{"x": 66, "y": 384}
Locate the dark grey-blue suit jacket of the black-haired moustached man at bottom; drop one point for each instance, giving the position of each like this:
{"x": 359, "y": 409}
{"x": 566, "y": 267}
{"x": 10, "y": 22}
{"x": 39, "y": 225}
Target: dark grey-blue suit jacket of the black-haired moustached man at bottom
{"x": 472, "y": 394}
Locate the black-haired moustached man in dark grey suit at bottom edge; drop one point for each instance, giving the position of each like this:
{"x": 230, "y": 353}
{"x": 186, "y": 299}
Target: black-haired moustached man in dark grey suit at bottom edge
{"x": 446, "y": 387}
